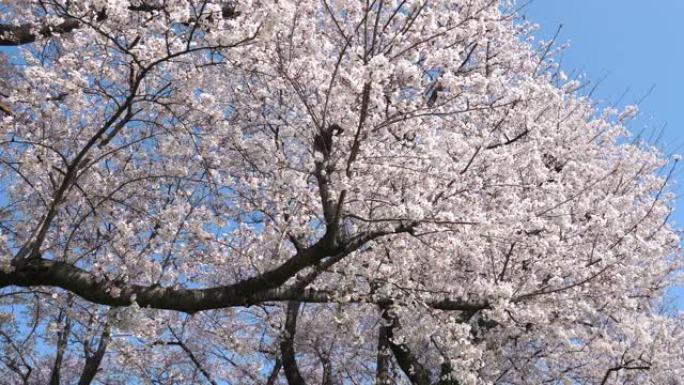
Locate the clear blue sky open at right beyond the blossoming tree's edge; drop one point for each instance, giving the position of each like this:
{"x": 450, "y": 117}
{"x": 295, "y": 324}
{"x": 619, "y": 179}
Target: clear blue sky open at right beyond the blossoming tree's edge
{"x": 637, "y": 44}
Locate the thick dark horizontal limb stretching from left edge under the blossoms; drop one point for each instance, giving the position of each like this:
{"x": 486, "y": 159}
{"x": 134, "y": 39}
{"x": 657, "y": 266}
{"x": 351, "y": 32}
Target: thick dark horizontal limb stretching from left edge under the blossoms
{"x": 249, "y": 292}
